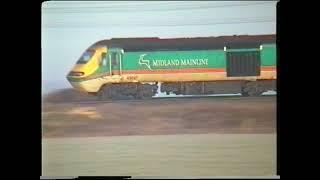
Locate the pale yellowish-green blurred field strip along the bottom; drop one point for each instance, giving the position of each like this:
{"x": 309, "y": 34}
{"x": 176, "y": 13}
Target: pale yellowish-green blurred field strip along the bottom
{"x": 161, "y": 155}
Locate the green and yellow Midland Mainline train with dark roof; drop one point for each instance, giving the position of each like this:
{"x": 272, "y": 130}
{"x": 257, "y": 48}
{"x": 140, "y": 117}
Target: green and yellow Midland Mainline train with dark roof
{"x": 140, "y": 67}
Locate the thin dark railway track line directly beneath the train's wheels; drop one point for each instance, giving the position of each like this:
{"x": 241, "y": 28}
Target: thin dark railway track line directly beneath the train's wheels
{"x": 176, "y": 98}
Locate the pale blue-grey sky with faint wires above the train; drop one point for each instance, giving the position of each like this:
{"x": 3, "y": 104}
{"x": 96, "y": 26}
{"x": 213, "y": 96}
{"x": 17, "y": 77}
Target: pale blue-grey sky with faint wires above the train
{"x": 68, "y": 28}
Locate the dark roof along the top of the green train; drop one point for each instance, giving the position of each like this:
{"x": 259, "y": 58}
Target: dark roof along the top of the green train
{"x": 197, "y": 43}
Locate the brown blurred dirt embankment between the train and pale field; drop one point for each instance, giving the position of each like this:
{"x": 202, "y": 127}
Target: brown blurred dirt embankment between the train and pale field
{"x": 160, "y": 117}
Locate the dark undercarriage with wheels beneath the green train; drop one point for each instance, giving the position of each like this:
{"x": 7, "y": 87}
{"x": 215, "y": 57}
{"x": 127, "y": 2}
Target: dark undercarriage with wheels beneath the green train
{"x": 145, "y": 91}
